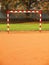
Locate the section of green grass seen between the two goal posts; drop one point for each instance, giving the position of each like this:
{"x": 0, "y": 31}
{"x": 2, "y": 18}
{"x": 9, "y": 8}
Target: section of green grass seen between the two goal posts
{"x": 23, "y": 27}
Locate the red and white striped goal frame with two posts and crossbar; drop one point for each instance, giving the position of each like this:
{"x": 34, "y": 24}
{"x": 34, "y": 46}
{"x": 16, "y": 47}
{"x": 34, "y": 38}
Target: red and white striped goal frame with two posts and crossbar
{"x": 24, "y": 11}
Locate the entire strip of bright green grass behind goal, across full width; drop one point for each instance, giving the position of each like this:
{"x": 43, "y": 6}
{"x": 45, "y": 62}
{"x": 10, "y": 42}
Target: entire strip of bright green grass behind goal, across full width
{"x": 24, "y": 27}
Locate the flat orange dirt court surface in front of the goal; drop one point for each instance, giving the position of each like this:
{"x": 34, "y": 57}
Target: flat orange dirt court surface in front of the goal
{"x": 24, "y": 48}
